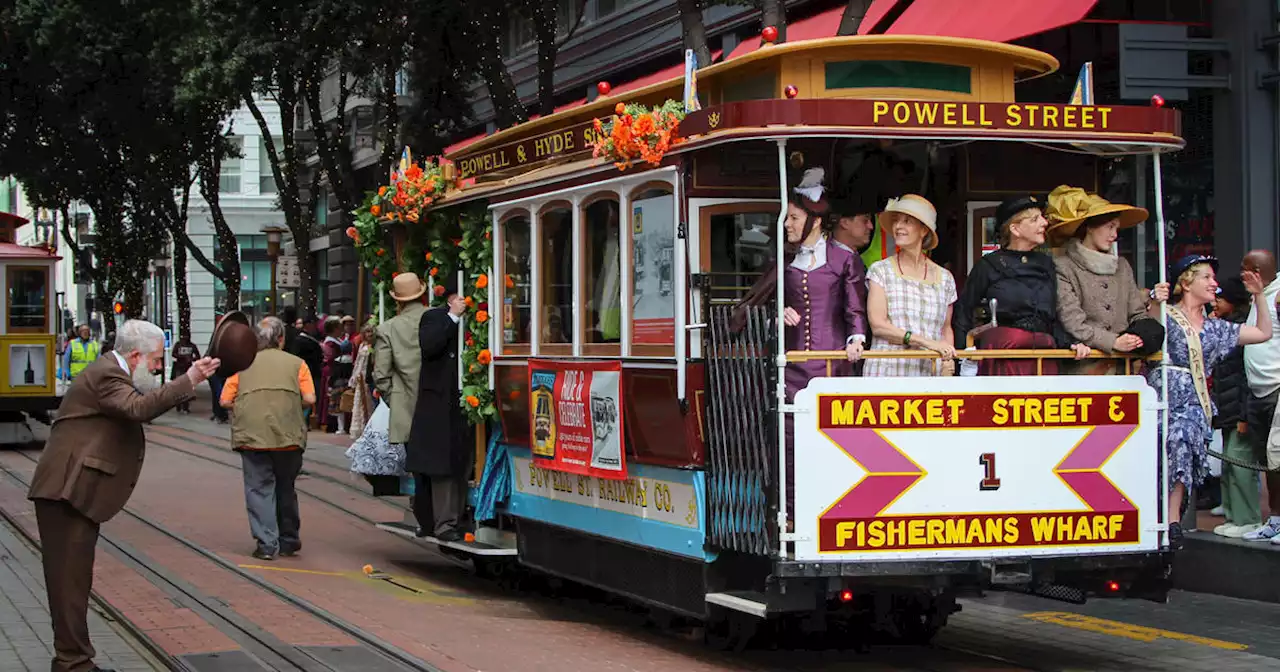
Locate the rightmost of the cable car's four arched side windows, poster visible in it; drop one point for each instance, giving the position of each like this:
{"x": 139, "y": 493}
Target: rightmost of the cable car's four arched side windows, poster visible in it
{"x": 653, "y": 243}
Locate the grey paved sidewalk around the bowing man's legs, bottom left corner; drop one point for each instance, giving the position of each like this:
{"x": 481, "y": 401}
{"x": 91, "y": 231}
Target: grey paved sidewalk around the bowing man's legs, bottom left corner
{"x": 26, "y": 636}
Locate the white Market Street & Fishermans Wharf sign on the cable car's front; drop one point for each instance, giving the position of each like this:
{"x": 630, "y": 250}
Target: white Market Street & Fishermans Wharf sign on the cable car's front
{"x": 968, "y": 468}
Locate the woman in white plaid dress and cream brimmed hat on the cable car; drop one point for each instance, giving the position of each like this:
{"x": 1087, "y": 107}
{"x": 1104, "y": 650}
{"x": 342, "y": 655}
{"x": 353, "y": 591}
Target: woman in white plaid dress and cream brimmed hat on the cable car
{"x": 909, "y": 298}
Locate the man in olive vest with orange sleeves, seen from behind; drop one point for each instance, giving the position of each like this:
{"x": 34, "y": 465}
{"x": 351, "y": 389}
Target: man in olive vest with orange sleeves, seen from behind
{"x": 269, "y": 432}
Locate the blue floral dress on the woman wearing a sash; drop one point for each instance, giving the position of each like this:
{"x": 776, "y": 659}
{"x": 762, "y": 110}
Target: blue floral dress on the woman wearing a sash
{"x": 1190, "y": 432}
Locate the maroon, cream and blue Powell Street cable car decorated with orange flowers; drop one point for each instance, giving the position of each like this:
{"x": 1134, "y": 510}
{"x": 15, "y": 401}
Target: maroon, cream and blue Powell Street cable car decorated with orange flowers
{"x": 697, "y": 524}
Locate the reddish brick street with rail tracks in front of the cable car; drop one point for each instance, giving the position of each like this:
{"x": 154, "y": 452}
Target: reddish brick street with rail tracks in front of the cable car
{"x": 445, "y": 616}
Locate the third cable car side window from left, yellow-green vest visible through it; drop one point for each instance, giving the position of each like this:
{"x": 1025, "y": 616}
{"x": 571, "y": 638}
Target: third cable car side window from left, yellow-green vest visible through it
{"x": 602, "y": 287}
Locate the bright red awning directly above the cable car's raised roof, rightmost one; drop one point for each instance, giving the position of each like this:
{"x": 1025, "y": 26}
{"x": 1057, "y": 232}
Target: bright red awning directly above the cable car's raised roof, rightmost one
{"x": 999, "y": 21}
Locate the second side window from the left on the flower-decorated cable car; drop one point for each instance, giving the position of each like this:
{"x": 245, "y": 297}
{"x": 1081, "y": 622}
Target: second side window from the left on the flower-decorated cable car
{"x": 557, "y": 277}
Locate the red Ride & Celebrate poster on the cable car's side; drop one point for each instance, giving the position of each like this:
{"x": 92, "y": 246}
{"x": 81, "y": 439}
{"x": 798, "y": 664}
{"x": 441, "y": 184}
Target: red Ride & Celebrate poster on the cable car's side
{"x": 575, "y": 414}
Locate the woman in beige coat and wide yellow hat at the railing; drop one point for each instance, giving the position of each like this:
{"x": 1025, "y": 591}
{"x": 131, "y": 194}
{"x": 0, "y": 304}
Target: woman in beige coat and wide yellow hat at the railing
{"x": 1098, "y": 296}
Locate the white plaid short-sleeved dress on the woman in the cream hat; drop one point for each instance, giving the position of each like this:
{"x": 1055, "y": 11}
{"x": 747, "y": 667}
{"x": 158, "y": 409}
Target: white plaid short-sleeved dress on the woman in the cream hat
{"x": 915, "y": 305}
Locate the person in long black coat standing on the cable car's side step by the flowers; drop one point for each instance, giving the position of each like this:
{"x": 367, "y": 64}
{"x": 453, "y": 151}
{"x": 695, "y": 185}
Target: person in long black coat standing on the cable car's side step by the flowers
{"x": 437, "y": 454}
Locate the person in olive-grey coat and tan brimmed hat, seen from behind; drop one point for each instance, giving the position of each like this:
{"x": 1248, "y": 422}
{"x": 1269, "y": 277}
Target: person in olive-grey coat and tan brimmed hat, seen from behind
{"x": 399, "y": 362}
